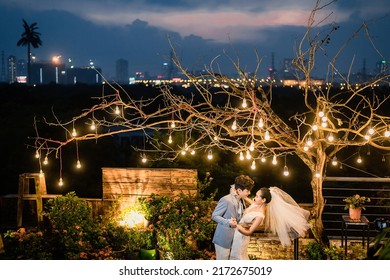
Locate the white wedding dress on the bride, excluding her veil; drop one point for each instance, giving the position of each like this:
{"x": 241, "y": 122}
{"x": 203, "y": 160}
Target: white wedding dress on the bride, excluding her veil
{"x": 239, "y": 249}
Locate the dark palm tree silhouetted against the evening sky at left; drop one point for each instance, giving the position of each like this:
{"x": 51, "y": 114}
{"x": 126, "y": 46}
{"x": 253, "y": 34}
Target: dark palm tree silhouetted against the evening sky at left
{"x": 30, "y": 37}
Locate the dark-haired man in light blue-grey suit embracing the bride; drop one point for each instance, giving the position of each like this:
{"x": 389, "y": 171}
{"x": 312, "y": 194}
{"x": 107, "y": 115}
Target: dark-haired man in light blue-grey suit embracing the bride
{"x": 227, "y": 212}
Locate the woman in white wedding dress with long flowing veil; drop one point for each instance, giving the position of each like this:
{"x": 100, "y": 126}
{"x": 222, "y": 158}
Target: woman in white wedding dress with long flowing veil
{"x": 275, "y": 209}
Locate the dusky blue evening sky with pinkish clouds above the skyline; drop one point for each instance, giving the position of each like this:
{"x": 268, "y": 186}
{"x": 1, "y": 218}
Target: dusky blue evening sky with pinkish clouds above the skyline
{"x": 138, "y": 31}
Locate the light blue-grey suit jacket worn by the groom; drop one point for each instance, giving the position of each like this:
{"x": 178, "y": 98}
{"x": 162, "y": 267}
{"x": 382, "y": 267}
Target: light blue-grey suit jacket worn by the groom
{"x": 227, "y": 207}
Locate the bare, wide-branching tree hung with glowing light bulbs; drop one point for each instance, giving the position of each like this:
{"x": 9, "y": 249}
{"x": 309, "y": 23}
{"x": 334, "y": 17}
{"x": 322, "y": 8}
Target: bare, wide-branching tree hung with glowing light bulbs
{"x": 238, "y": 116}
